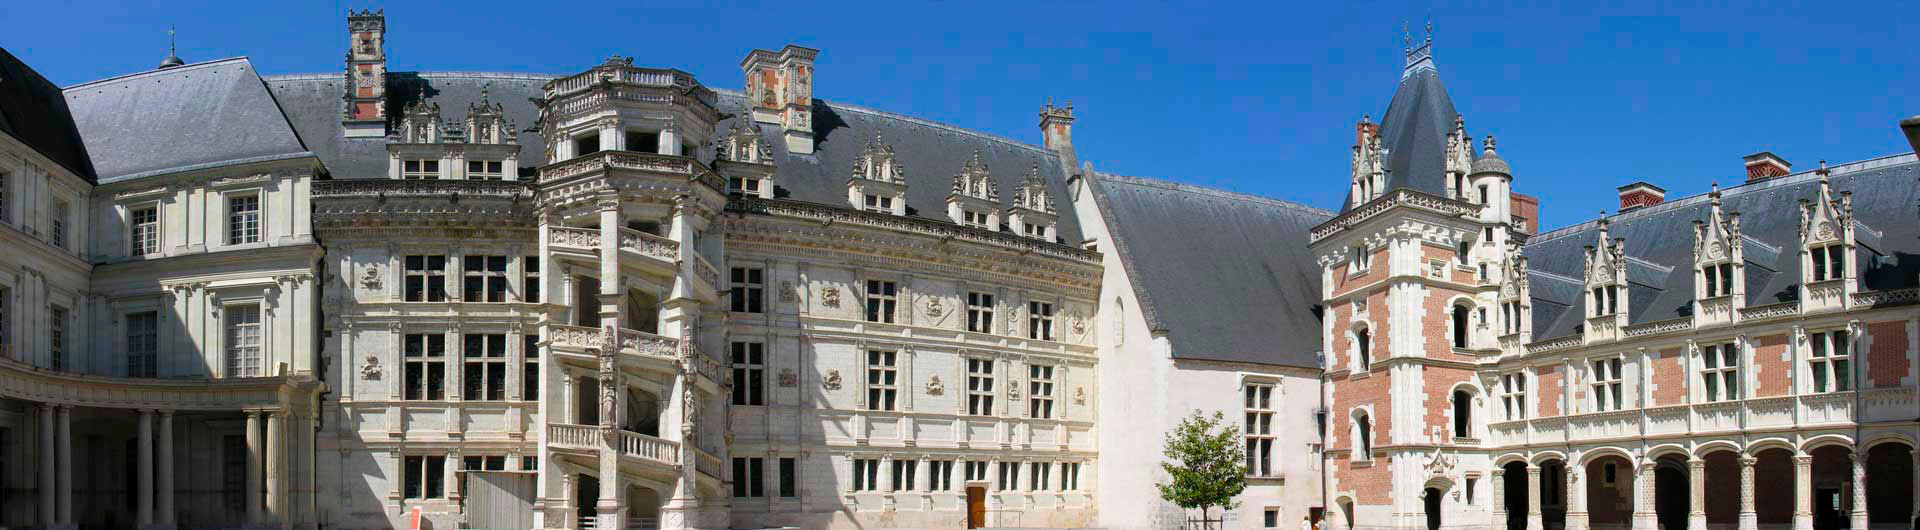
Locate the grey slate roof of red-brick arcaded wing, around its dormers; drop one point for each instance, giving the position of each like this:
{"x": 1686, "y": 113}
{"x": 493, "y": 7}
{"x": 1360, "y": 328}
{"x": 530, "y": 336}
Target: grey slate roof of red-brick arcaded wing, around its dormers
{"x": 1660, "y": 245}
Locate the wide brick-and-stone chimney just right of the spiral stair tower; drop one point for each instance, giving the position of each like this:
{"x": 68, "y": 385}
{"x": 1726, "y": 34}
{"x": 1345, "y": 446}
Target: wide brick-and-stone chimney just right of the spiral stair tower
{"x": 780, "y": 89}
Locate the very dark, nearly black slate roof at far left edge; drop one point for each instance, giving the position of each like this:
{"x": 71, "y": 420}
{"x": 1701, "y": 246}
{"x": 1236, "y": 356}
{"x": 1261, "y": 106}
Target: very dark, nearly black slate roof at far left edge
{"x": 34, "y": 110}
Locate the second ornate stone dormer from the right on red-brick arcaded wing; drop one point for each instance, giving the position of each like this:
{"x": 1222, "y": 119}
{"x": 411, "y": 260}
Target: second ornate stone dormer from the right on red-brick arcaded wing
{"x": 1719, "y": 266}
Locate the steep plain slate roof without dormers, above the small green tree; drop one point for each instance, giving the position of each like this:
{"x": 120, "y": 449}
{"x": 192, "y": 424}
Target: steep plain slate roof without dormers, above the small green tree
{"x": 1224, "y": 276}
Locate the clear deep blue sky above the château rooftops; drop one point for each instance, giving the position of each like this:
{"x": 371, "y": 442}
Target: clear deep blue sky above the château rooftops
{"x": 1247, "y": 97}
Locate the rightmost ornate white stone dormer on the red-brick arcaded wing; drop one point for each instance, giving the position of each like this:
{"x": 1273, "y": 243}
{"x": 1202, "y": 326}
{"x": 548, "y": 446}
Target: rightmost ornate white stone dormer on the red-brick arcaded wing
{"x": 1827, "y": 233}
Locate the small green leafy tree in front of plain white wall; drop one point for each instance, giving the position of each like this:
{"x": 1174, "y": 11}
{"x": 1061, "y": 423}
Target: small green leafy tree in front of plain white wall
{"x": 1205, "y": 464}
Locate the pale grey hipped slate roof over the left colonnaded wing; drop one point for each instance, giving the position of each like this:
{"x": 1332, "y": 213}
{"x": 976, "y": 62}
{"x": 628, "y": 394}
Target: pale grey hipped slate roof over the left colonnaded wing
{"x": 181, "y": 118}
